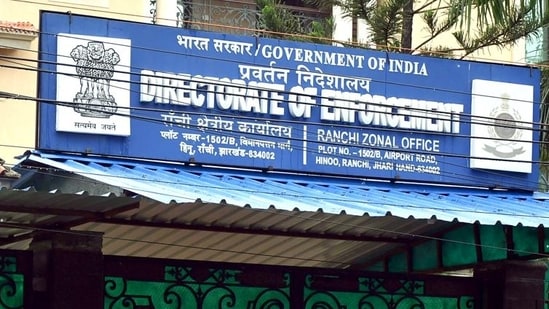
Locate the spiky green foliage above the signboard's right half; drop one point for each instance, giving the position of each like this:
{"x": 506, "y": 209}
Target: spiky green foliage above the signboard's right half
{"x": 386, "y": 20}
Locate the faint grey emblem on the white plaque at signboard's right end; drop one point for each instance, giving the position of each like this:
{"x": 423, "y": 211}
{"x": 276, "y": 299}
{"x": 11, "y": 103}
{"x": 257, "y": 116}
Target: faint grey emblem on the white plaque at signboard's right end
{"x": 505, "y": 131}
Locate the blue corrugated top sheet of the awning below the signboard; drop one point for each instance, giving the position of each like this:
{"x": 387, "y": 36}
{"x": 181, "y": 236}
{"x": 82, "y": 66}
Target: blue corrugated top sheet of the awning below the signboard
{"x": 181, "y": 184}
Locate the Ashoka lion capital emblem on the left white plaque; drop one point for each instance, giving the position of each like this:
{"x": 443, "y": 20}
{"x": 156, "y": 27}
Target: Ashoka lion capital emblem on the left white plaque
{"x": 95, "y": 69}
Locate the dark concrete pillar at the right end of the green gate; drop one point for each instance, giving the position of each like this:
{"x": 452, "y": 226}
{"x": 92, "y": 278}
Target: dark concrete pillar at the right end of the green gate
{"x": 512, "y": 284}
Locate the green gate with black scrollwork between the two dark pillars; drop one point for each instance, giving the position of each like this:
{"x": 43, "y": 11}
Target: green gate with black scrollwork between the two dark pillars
{"x": 155, "y": 283}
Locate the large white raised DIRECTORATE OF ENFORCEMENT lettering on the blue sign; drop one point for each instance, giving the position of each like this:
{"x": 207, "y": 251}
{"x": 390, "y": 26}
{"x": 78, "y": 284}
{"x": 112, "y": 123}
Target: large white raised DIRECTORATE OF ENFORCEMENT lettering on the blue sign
{"x": 273, "y": 99}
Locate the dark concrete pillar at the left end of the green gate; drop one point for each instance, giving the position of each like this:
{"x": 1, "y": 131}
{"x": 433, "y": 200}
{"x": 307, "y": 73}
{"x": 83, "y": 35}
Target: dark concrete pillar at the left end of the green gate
{"x": 68, "y": 270}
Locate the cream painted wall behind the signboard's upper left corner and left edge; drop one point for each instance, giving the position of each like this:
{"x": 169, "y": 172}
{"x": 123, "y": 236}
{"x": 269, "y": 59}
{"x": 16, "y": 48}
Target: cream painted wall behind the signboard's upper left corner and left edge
{"x": 18, "y": 124}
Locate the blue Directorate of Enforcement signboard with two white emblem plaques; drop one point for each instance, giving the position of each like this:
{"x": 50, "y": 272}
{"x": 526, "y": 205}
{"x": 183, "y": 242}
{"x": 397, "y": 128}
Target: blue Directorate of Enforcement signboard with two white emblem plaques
{"x": 128, "y": 89}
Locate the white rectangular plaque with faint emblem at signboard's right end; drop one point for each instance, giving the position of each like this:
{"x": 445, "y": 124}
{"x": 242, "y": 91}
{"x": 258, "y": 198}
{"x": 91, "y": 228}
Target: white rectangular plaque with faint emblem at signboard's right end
{"x": 501, "y": 126}
